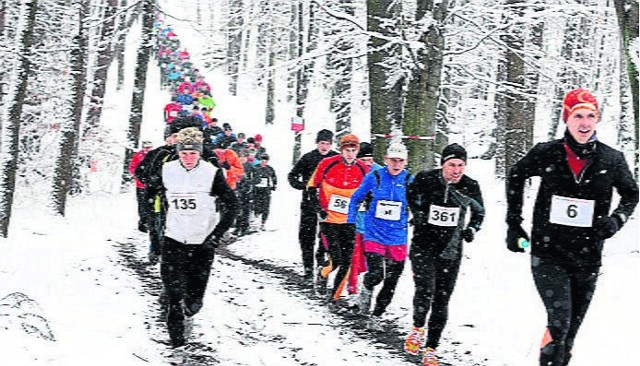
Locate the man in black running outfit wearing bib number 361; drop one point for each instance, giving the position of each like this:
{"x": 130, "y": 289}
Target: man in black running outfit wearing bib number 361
{"x": 439, "y": 200}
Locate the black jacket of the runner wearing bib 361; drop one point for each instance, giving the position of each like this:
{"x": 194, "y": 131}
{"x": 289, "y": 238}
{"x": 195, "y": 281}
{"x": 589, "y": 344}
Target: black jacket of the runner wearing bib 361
{"x": 429, "y": 190}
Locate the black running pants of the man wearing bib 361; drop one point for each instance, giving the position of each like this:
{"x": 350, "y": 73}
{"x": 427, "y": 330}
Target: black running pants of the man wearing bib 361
{"x": 434, "y": 279}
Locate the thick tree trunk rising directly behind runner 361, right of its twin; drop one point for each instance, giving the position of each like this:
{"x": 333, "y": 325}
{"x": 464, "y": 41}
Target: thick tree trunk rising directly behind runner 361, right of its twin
{"x": 423, "y": 91}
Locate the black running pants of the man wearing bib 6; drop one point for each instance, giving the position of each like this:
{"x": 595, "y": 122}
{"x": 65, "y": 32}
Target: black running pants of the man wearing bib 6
{"x": 566, "y": 293}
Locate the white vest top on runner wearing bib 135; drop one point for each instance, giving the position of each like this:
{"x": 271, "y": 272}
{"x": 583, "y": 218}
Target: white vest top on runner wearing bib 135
{"x": 191, "y": 213}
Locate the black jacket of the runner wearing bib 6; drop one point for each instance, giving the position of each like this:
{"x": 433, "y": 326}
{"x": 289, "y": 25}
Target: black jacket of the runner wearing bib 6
{"x": 577, "y": 246}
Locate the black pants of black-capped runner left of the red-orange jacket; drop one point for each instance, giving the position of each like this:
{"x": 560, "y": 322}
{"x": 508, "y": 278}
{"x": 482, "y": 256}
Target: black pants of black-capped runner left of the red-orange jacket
{"x": 307, "y": 236}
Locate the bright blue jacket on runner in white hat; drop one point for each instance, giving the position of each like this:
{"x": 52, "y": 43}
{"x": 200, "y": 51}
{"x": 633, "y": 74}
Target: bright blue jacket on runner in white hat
{"x": 386, "y": 220}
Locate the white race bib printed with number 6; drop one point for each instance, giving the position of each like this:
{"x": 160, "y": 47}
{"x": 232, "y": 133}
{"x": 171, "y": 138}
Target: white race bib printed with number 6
{"x": 570, "y": 211}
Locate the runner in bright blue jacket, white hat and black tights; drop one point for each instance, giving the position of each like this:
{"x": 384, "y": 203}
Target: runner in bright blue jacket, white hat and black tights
{"x": 386, "y": 229}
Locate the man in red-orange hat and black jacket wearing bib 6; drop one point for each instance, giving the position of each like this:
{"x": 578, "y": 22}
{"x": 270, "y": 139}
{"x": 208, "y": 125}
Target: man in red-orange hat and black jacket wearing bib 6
{"x": 571, "y": 218}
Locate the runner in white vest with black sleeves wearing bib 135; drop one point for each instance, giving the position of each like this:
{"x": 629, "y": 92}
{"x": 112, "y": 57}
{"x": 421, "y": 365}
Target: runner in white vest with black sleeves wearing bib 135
{"x": 193, "y": 230}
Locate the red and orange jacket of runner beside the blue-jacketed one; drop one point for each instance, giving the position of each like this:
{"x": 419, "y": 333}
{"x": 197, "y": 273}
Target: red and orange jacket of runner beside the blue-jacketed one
{"x": 336, "y": 181}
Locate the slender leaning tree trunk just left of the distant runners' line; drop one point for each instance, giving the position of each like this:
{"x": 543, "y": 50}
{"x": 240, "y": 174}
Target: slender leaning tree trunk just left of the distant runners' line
{"x": 140, "y": 84}
